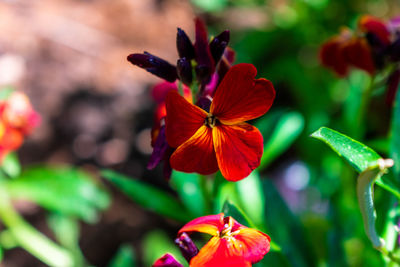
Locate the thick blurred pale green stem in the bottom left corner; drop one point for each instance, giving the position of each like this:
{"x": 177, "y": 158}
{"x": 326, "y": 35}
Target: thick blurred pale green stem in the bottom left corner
{"x": 29, "y": 238}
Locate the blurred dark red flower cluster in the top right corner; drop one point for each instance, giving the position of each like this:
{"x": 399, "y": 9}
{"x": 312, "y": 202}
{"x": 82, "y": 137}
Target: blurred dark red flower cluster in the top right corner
{"x": 372, "y": 47}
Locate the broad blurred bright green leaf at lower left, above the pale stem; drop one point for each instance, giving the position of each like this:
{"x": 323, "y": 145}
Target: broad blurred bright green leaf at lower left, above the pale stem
{"x": 65, "y": 190}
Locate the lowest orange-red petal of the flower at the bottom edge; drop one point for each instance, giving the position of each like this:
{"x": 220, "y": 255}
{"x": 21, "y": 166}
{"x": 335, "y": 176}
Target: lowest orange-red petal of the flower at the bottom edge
{"x": 220, "y": 252}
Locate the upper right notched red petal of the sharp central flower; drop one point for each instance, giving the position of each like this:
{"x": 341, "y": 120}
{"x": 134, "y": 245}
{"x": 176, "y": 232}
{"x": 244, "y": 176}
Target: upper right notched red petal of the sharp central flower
{"x": 240, "y": 97}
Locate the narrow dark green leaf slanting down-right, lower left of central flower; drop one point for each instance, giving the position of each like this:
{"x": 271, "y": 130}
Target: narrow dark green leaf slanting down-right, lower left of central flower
{"x": 148, "y": 196}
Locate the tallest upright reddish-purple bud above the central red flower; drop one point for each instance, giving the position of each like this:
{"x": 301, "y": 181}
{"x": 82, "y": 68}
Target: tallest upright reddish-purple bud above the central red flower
{"x": 205, "y": 62}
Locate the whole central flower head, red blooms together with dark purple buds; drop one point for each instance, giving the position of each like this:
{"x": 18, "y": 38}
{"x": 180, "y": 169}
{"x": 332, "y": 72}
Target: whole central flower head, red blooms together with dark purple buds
{"x": 200, "y": 120}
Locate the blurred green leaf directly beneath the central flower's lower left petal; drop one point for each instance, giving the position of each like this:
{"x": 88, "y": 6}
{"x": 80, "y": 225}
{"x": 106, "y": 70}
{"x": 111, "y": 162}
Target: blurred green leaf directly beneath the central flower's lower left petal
{"x": 188, "y": 187}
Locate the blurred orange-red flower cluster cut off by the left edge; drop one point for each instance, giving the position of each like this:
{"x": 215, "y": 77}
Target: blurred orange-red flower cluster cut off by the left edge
{"x": 17, "y": 120}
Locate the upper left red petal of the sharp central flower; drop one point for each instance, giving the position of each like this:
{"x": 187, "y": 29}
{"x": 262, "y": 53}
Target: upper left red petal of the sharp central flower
{"x": 183, "y": 119}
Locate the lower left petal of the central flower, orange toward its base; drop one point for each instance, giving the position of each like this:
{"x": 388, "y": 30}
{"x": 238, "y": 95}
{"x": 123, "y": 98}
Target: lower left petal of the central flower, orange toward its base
{"x": 196, "y": 154}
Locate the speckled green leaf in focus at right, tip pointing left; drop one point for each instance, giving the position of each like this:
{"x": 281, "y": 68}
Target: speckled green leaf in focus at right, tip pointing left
{"x": 357, "y": 154}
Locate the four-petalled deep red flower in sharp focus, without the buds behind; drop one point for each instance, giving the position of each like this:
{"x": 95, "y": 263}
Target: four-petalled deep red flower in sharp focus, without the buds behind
{"x": 220, "y": 138}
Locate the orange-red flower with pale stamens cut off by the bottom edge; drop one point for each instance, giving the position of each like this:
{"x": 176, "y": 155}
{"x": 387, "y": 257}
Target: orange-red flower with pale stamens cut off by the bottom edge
{"x": 232, "y": 244}
